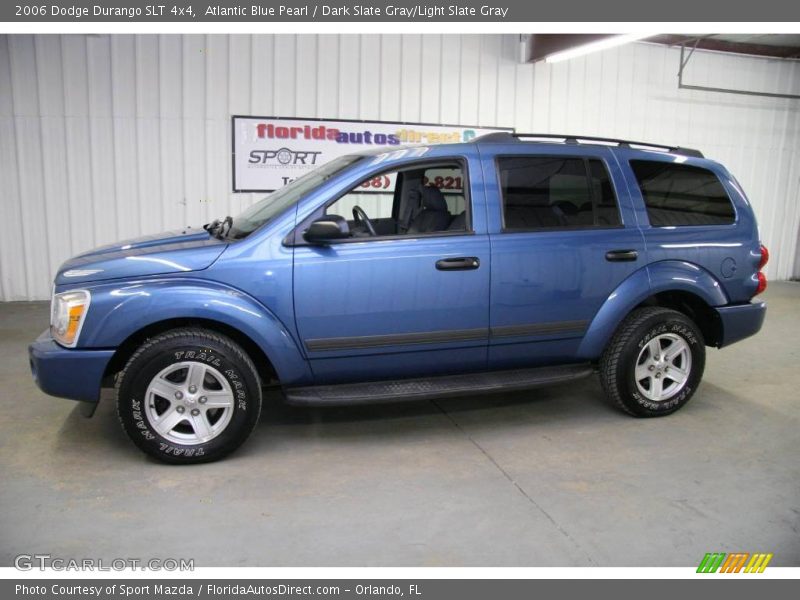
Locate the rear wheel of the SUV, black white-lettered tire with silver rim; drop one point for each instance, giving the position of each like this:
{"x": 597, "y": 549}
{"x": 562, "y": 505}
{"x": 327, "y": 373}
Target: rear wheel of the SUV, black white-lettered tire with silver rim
{"x": 619, "y": 361}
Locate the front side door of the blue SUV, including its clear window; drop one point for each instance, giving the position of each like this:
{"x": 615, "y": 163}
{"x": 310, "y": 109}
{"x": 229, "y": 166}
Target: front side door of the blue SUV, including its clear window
{"x": 407, "y": 299}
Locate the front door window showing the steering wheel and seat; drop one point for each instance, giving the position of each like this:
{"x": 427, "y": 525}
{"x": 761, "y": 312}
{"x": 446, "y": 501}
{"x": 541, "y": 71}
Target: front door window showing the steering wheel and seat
{"x": 415, "y": 199}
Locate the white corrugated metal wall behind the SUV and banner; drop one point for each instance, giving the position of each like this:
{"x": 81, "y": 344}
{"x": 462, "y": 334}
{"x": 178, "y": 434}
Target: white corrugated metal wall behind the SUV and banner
{"x": 109, "y": 137}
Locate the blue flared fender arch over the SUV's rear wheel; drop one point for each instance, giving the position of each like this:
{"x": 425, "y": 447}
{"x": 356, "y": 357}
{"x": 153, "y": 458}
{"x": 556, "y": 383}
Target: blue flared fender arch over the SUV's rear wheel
{"x": 663, "y": 276}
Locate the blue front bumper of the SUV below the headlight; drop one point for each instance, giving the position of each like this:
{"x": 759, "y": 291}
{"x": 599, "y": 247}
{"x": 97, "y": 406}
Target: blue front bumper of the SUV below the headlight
{"x": 67, "y": 372}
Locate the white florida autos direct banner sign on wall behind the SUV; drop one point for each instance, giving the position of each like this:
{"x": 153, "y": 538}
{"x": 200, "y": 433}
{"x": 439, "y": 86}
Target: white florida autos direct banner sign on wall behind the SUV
{"x": 269, "y": 152}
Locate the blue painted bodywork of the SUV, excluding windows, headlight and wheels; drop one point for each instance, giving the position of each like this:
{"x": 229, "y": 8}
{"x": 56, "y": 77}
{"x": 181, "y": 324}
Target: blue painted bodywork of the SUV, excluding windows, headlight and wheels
{"x": 371, "y": 309}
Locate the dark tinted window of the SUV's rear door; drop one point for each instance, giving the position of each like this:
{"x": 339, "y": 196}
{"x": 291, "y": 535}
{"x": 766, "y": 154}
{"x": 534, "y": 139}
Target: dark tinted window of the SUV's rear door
{"x": 550, "y": 192}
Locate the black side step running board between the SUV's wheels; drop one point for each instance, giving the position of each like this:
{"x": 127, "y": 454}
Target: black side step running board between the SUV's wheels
{"x": 434, "y": 387}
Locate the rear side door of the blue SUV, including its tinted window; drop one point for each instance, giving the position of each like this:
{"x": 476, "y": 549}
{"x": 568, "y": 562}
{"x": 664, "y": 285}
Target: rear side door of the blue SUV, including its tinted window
{"x": 563, "y": 236}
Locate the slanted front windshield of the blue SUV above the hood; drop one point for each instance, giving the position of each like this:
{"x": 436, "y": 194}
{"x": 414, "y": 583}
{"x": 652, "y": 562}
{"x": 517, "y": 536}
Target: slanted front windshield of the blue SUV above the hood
{"x": 268, "y": 207}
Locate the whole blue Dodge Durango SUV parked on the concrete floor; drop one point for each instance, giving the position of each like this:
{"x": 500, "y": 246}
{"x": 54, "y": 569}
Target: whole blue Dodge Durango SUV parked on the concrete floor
{"x": 501, "y": 264}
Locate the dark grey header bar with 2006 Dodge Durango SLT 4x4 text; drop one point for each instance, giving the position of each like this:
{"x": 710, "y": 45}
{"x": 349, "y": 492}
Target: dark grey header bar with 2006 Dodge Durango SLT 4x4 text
{"x": 404, "y": 11}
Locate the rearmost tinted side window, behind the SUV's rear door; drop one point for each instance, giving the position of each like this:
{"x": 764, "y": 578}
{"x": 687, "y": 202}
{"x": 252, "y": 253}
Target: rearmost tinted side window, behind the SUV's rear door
{"x": 677, "y": 195}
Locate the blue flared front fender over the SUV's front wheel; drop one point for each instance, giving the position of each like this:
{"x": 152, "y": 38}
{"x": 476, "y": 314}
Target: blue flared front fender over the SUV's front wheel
{"x": 119, "y": 310}
